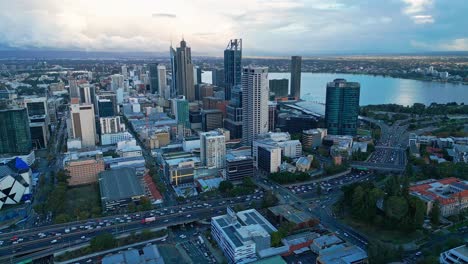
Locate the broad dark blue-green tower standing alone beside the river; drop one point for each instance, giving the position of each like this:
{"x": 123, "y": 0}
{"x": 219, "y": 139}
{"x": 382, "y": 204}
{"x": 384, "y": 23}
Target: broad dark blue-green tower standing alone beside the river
{"x": 342, "y": 107}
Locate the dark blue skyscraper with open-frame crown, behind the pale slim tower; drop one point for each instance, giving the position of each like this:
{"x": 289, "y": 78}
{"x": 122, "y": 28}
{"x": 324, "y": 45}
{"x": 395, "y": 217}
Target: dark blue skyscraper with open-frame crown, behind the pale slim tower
{"x": 232, "y": 65}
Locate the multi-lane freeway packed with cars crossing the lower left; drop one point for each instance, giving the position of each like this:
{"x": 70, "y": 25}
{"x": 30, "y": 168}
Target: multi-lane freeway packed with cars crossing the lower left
{"x": 72, "y": 234}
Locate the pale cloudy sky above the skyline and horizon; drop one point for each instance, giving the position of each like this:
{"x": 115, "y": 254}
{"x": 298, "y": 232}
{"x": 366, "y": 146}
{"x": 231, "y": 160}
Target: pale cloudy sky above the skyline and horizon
{"x": 267, "y": 27}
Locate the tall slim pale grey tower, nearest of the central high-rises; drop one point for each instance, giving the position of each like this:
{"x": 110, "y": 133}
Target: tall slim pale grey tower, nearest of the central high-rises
{"x": 254, "y": 102}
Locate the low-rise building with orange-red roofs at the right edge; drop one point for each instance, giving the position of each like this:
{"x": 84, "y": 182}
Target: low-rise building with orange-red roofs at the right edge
{"x": 451, "y": 193}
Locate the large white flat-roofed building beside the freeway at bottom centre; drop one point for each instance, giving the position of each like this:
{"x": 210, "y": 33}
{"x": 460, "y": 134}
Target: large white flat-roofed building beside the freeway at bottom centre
{"x": 241, "y": 235}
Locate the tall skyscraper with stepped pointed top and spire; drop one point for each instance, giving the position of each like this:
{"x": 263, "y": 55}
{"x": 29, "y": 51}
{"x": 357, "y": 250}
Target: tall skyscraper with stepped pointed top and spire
{"x": 184, "y": 72}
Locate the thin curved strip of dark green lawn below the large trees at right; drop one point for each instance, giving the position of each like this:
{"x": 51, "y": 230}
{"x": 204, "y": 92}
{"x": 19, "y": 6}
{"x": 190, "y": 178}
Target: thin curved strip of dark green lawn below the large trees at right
{"x": 387, "y": 236}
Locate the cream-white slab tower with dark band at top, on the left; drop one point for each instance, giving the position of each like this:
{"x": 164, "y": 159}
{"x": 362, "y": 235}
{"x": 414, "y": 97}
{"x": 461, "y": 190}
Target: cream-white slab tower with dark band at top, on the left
{"x": 82, "y": 124}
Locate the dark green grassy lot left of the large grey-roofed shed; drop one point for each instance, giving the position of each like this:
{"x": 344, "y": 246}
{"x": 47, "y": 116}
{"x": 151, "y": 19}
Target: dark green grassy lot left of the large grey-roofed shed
{"x": 84, "y": 200}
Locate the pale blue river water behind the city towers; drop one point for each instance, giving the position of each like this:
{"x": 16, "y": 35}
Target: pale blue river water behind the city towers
{"x": 377, "y": 89}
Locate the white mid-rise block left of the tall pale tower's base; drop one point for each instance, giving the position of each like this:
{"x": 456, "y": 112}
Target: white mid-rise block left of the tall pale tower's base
{"x": 213, "y": 149}
